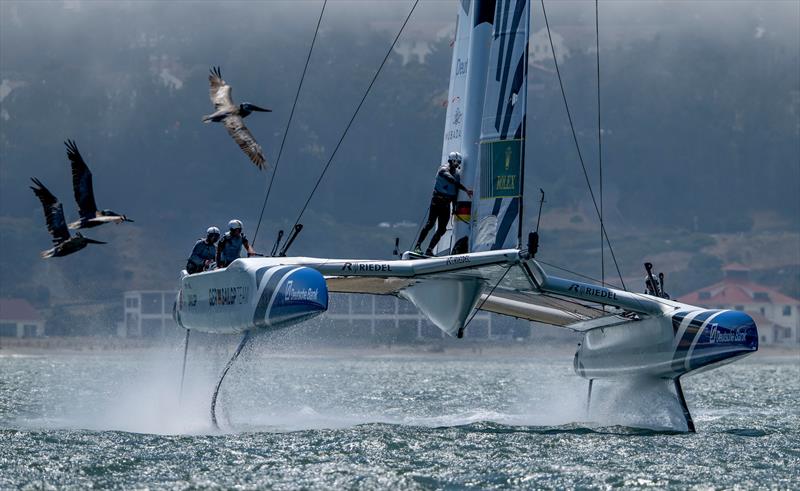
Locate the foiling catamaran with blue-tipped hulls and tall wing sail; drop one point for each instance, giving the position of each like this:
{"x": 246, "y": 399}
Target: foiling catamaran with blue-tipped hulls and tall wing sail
{"x": 482, "y": 262}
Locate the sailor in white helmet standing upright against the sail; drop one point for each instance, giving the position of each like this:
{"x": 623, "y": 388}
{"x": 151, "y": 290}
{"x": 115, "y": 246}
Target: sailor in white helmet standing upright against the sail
{"x": 445, "y": 192}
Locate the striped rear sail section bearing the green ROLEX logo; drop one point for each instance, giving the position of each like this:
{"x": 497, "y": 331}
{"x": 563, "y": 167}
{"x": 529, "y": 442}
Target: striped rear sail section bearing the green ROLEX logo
{"x": 497, "y": 203}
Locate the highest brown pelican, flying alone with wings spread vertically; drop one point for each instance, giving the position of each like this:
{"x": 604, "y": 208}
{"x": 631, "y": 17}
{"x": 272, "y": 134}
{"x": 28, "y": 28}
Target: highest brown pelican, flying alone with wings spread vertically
{"x": 232, "y": 116}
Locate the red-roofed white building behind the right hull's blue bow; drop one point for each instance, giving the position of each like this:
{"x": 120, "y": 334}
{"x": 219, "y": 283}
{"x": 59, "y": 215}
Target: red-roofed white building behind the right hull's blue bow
{"x": 777, "y": 315}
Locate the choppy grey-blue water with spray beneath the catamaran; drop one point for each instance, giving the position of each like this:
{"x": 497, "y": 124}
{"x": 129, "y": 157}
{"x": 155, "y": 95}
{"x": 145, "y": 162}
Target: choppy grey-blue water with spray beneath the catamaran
{"x": 377, "y": 421}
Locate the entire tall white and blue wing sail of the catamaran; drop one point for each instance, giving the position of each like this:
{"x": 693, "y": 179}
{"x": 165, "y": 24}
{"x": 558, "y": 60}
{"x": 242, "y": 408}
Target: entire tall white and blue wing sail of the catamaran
{"x": 486, "y": 118}
